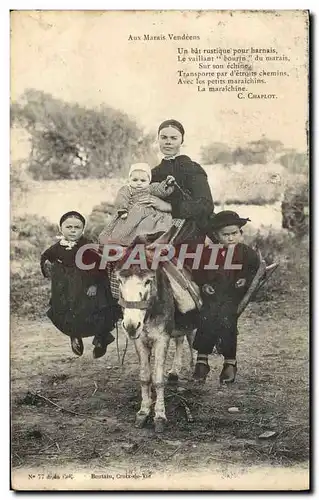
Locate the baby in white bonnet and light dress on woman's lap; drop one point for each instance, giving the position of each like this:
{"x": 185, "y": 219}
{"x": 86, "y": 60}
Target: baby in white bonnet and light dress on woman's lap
{"x": 136, "y": 212}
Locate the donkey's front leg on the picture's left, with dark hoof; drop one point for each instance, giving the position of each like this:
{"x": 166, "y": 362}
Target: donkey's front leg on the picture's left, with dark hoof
{"x": 144, "y": 355}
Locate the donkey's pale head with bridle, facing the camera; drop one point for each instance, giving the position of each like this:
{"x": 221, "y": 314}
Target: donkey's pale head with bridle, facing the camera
{"x": 138, "y": 291}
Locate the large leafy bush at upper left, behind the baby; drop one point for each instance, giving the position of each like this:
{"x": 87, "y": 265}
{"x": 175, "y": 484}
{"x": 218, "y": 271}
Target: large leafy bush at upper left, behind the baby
{"x": 72, "y": 142}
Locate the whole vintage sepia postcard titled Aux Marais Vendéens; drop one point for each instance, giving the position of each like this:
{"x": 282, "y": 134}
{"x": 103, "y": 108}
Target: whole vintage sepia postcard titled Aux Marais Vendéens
{"x": 159, "y": 250}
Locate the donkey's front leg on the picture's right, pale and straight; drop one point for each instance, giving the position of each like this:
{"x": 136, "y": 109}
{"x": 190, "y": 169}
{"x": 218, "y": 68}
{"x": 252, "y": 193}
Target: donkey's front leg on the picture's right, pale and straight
{"x": 160, "y": 352}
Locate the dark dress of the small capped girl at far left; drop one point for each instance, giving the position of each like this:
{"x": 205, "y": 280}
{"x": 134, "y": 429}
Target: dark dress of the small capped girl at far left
{"x": 71, "y": 310}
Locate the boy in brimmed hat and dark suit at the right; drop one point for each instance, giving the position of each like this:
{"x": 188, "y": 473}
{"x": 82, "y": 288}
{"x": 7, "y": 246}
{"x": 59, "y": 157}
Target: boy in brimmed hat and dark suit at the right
{"x": 222, "y": 290}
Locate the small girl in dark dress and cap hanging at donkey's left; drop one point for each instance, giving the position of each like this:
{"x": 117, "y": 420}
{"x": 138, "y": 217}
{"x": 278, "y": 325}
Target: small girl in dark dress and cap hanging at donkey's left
{"x": 81, "y": 303}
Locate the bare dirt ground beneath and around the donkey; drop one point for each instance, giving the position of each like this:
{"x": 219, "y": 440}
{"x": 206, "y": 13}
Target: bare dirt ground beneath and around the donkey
{"x": 271, "y": 393}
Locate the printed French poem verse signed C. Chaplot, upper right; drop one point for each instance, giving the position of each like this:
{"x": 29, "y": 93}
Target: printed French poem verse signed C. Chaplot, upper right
{"x": 249, "y": 72}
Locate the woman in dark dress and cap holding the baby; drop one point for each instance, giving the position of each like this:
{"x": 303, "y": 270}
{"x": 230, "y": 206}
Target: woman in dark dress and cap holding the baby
{"x": 192, "y": 198}
